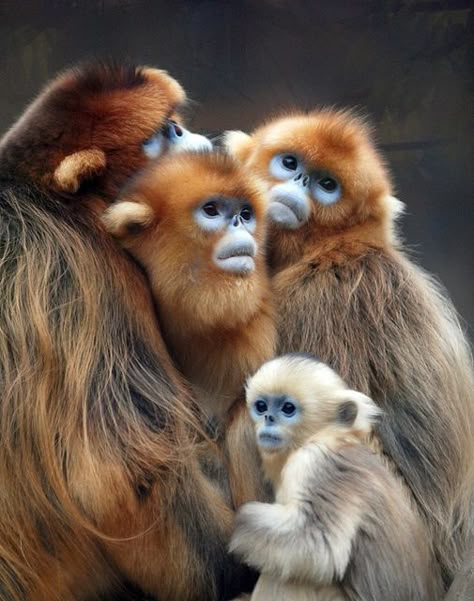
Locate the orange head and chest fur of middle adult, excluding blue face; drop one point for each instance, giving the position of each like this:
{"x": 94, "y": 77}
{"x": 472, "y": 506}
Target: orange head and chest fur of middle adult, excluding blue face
{"x": 218, "y": 325}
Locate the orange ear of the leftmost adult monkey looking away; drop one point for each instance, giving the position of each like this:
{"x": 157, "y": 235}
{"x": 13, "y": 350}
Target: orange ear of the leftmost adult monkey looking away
{"x": 78, "y": 167}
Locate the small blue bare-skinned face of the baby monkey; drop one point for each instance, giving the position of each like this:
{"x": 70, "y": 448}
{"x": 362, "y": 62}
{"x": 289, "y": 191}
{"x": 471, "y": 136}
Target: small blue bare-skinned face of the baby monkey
{"x": 272, "y": 414}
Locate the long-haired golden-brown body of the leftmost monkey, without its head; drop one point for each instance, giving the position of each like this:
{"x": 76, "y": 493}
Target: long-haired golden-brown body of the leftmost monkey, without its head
{"x": 93, "y": 422}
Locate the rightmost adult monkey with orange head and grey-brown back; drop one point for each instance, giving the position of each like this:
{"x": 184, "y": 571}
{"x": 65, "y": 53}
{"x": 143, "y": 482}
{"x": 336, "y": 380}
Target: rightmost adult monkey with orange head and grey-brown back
{"x": 346, "y": 291}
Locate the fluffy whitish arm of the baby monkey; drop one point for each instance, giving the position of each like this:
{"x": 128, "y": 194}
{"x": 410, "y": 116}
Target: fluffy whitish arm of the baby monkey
{"x": 292, "y": 542}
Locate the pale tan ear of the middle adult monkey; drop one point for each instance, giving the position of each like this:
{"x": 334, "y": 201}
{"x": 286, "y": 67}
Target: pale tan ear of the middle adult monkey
{"x": 125, "y": 219}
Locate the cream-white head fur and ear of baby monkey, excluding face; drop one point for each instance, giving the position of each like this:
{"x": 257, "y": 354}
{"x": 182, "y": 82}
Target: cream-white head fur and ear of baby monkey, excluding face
{"x": 325, "y": 401}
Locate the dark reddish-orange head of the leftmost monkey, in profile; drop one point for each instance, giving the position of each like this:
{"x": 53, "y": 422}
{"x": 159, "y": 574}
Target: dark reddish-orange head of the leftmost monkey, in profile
{"x": 94, "y": 126}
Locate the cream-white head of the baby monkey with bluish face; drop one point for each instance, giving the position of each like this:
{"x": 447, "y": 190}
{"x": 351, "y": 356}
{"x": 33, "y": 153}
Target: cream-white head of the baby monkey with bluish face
{"x": 295, "y": 397}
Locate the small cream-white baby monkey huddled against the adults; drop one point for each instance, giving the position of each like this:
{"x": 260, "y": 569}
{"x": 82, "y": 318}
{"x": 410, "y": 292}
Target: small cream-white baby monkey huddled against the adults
{"x": 342, "y": 526}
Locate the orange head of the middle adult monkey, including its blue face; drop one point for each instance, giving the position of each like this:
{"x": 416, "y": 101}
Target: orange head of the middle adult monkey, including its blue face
{"x": 195, "y": 222}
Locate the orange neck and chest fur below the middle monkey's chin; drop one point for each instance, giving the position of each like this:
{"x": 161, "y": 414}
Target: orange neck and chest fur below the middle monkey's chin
{"x": 219, "y": 335}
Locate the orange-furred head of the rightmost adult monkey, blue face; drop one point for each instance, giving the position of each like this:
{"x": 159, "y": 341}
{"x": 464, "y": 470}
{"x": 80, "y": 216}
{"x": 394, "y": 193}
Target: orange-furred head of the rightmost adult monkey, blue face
{"x": 323, "y": 172}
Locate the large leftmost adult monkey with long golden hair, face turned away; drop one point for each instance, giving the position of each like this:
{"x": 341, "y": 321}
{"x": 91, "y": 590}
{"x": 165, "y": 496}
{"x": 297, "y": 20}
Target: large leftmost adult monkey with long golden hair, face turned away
{"x": 100, "y": 481}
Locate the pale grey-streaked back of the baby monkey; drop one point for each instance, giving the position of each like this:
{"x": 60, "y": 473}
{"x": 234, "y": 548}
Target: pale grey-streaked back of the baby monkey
{"x": 352, "y": 492}
